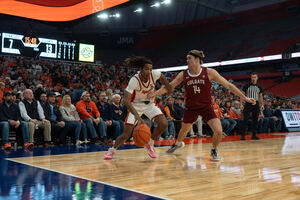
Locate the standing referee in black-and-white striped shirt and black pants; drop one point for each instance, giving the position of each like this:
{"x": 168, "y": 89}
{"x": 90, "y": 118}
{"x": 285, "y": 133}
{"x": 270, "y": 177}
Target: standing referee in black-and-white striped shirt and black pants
{"x": 252, "y": 90}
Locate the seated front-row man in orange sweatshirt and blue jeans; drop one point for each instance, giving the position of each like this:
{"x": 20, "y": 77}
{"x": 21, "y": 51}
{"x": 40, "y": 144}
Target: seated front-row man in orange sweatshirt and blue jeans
{"x": 90, "y": 115}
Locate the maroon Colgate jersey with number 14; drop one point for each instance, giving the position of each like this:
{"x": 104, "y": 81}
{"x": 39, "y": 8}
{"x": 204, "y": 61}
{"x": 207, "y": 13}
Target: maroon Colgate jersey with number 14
{"x": 197, "y": 89}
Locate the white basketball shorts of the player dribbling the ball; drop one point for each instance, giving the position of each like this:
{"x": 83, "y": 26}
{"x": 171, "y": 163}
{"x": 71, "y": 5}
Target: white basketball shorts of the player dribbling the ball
{"x": 150, "y": 110}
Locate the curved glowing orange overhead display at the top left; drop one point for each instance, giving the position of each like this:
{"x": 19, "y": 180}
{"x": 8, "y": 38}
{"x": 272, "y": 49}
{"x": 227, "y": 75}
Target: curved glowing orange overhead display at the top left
{"x": 49, "y": 10}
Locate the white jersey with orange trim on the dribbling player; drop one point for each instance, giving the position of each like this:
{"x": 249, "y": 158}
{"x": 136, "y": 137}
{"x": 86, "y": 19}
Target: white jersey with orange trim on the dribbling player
{"x": 139, "y": 90}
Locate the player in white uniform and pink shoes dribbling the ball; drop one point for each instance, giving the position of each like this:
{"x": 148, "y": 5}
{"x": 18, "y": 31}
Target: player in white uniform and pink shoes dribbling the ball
{"x": 135, "y": 99}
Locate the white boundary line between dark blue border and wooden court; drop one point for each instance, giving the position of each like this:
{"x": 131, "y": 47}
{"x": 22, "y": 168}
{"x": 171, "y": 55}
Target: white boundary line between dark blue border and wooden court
{"x": 93, "y": 180}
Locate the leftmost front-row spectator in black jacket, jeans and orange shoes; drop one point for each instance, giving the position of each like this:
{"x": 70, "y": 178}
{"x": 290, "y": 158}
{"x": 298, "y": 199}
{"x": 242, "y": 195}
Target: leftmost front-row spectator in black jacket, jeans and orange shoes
{"x": 10, "y": 118}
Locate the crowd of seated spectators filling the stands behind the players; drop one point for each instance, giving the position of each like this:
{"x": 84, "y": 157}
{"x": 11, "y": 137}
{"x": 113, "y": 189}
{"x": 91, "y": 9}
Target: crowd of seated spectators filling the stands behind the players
{"x": 56, "y": 100}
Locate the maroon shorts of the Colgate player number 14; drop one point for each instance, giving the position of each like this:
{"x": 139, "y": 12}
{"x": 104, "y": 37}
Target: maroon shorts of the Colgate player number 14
{"x": 207, "y": 113}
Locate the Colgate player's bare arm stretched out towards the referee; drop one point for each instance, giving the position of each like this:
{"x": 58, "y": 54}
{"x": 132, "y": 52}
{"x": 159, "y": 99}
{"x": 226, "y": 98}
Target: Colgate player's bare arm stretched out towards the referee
{"x": 214, "y": 75}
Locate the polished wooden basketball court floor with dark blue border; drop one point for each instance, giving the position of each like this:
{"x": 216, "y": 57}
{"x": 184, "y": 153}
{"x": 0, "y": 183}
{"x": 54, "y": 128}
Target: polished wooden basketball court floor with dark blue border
{"x": 264, "y": 169}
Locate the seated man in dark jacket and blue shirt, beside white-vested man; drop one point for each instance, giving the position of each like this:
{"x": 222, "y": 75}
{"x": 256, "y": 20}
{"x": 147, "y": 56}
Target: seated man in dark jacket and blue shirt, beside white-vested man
{"x": 59, "y": 128}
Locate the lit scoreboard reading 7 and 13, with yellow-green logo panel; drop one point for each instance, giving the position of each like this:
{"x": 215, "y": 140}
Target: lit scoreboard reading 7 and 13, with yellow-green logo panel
{"x": 39, "y": 47}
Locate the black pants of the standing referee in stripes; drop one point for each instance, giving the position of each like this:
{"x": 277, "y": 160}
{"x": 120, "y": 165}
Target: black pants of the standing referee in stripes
{"x": 254, "y": 109}
